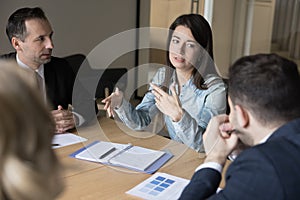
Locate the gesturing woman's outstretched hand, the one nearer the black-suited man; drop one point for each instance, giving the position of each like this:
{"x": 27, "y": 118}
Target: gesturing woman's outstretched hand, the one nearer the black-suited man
{"x": 113, "y": 101}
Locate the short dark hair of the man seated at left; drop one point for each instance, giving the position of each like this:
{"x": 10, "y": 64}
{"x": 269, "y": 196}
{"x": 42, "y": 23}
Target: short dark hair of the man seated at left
{"x": 16, "y": 22}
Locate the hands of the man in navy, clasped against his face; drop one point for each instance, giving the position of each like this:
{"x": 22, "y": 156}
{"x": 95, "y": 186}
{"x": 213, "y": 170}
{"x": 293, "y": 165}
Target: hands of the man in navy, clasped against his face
{"x": 219, "y": 140}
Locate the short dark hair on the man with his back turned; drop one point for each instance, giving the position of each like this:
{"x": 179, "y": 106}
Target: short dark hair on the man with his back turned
{"x": 268, "y": 85}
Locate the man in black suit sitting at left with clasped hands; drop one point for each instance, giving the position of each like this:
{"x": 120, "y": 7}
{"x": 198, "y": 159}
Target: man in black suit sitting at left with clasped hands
{"x": 30, "y": 34}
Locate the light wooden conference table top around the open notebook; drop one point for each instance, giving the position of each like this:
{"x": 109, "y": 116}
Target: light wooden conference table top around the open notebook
{"x": 87, "y": 180}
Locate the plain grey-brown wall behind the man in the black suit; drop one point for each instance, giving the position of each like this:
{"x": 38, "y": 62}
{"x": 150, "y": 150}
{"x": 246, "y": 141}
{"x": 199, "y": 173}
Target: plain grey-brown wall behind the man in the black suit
{"x": 79, "y": 26}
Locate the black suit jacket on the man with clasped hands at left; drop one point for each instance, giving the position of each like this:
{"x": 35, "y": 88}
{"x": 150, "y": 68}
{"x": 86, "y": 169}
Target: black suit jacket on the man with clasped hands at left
{"x": 59, "y": 81}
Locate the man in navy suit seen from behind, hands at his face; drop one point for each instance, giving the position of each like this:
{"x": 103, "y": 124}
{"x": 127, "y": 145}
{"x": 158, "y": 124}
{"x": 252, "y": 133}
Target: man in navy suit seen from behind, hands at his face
{"x": 264, "y": 102}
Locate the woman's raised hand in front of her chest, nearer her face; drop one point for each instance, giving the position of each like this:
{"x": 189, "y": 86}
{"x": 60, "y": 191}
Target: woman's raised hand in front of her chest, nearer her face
{"x": 168, "y": 104}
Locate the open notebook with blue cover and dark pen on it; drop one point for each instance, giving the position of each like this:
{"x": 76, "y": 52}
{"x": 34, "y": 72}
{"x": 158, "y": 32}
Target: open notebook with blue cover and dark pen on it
{"x": 123, "y": 155}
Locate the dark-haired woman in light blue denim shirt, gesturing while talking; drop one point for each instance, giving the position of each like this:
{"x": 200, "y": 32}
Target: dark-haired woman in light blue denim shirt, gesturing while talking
{"x": 188, "y": 91}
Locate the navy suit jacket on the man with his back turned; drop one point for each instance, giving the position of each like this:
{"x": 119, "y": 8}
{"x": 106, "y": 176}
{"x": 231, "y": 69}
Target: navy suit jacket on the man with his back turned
{"x": 267, "y": 171}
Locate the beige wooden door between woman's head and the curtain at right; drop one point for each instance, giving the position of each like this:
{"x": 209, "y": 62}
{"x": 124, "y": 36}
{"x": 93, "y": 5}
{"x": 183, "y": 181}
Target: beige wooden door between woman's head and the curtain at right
{"x": 240, "y": 27}
